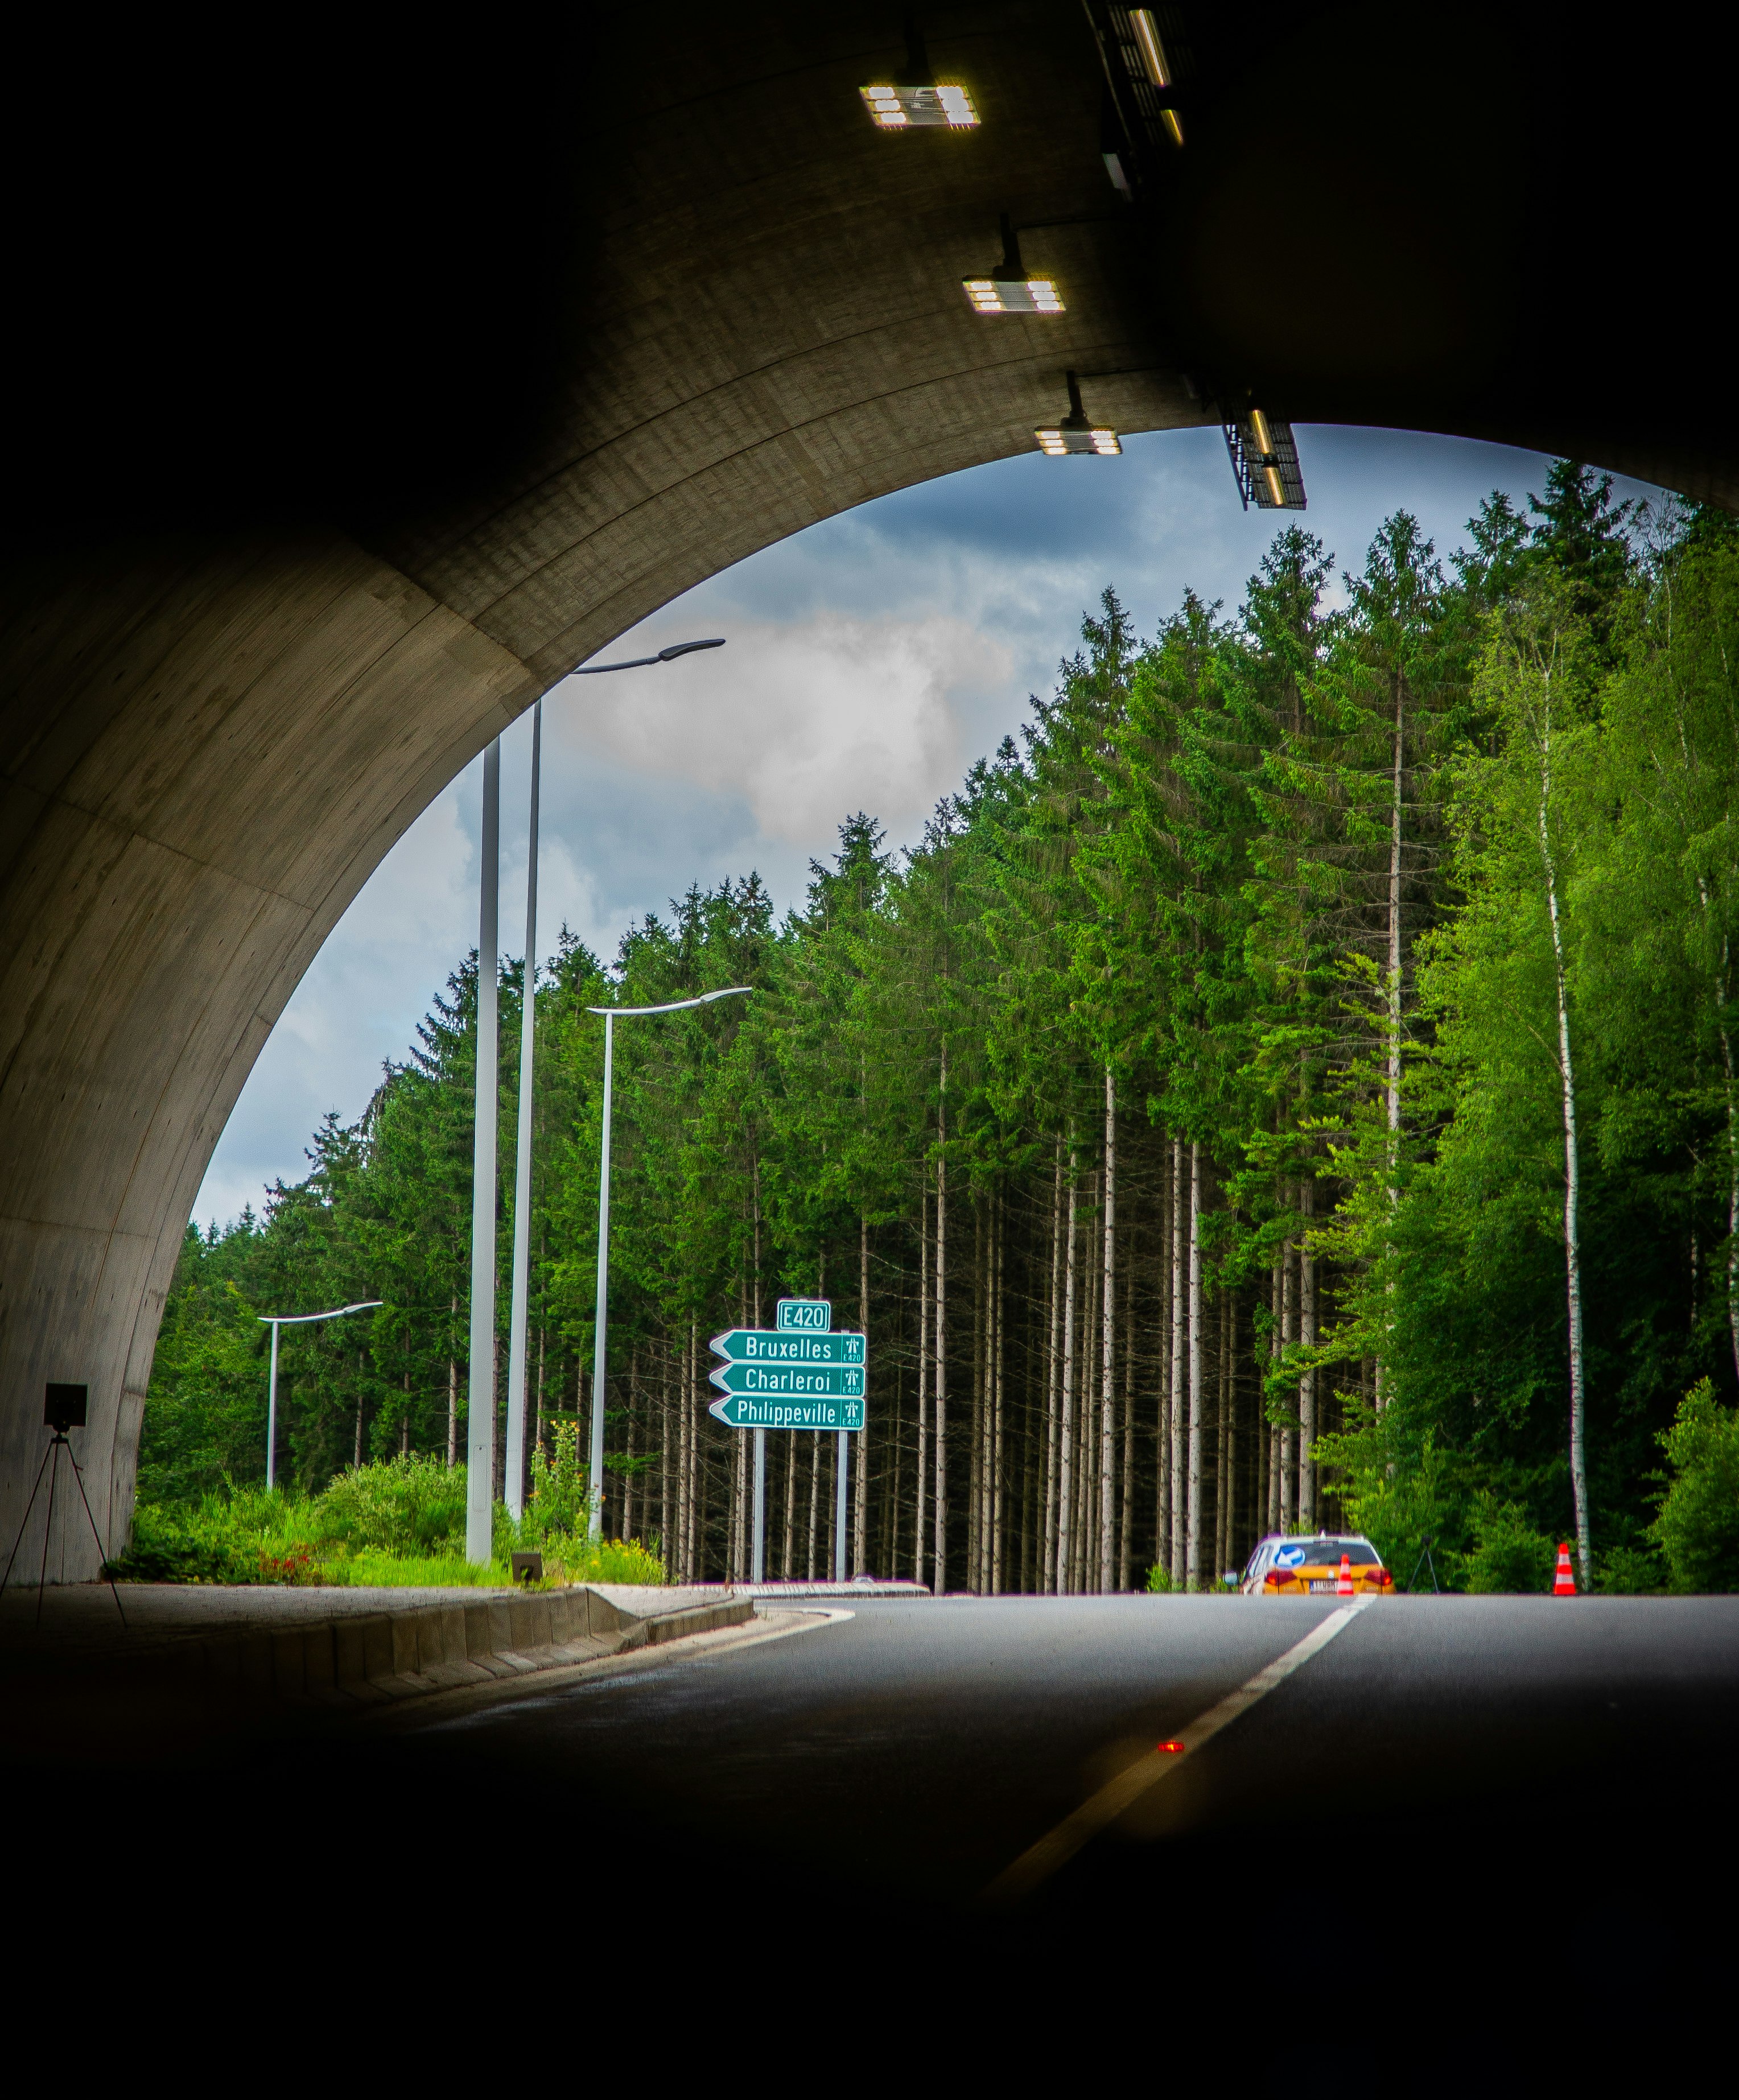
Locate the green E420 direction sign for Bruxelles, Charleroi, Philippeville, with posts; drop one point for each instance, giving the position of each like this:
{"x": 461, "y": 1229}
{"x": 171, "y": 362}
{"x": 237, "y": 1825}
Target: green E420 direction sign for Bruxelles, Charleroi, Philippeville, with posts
{"x": 793, "y": 1377}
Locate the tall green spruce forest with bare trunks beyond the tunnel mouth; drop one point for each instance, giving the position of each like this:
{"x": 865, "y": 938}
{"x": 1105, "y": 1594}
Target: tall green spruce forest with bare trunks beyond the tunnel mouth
{"x": 1291, "y": 1087}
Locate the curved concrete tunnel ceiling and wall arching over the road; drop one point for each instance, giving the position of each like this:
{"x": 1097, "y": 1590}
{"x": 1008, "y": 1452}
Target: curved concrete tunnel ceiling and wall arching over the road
{"x": 358, "y": 408}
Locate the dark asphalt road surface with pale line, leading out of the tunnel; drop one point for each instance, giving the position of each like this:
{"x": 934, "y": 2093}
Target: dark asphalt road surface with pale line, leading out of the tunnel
{"x": 1469, "y": 1843}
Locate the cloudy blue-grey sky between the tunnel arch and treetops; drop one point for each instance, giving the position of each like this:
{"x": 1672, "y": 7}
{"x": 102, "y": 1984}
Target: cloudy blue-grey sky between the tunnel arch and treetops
{"x": 868, "y": 663}
